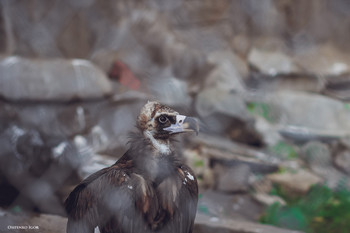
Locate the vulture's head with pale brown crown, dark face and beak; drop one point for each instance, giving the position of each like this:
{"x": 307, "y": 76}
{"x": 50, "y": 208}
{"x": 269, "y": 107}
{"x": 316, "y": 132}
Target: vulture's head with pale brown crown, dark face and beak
{"x": 159, "y": 123}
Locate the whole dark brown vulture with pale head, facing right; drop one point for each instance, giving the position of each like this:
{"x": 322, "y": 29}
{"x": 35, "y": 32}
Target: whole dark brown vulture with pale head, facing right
{"x": 149, "y": 189}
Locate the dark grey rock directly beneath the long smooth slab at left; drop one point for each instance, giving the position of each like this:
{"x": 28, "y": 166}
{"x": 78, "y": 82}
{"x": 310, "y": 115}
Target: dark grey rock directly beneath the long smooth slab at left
{"x": 52, "y": 119}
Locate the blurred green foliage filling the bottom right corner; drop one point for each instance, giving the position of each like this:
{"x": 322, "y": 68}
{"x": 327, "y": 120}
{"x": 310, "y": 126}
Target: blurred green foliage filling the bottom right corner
{"x": 320, "y": 211}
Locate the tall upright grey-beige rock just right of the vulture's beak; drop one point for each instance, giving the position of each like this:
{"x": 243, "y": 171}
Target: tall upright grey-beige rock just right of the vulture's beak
{"x": 222, "y": 99}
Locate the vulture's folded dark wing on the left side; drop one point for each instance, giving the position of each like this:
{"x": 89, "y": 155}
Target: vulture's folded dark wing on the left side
{"x": 94, "y": 201}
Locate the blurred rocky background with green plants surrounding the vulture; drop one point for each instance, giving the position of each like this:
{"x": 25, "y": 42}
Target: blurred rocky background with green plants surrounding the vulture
{"x": 269, "y": 81}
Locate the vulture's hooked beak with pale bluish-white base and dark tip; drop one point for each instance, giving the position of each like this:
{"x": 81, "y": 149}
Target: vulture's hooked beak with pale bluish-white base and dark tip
{"x": 183, "y": 124}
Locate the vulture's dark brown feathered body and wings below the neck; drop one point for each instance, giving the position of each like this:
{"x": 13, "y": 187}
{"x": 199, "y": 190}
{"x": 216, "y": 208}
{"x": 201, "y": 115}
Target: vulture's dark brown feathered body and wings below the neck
{"x": 118, "y": 199}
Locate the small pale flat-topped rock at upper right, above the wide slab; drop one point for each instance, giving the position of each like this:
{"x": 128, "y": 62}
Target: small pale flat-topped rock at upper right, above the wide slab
{"x": 272, "y": 62}
